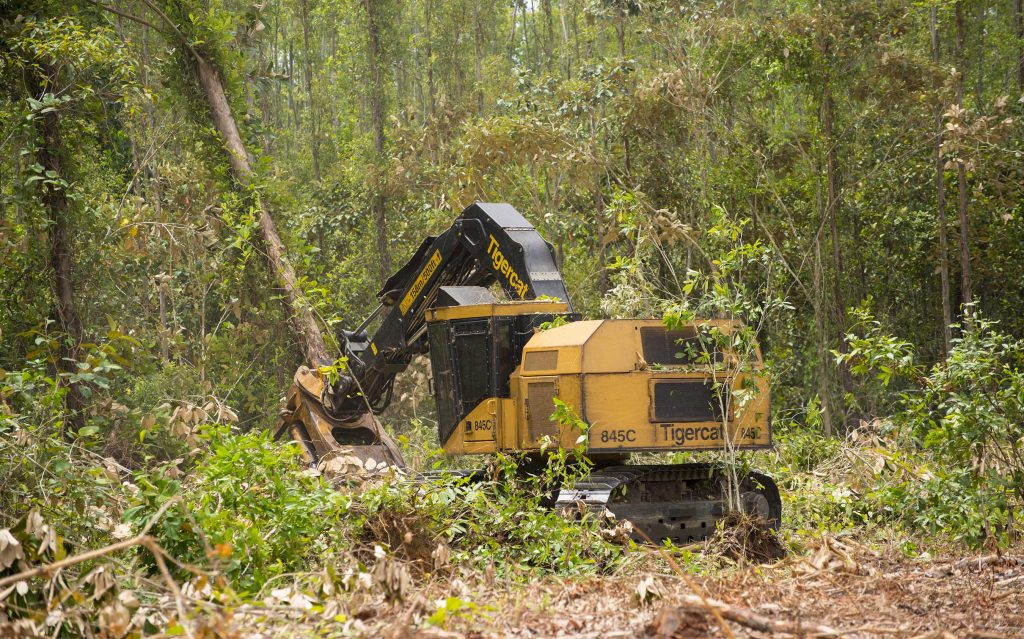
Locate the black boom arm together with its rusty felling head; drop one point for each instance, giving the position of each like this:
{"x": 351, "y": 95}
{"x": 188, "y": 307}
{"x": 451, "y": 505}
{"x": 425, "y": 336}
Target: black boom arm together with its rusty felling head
{"x": 487, "y": 244}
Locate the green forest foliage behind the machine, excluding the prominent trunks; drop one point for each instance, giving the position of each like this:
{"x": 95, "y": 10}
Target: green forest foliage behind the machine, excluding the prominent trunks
{"x": 621, "y": 131}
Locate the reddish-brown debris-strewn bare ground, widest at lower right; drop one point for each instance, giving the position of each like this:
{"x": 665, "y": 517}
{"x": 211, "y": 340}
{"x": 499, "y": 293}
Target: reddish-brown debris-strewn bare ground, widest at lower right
{"x": 836, "y": 588}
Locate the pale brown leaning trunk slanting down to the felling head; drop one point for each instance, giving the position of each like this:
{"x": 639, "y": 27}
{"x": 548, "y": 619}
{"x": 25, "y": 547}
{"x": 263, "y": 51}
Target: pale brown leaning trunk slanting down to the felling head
{"x": 301, "y": 315}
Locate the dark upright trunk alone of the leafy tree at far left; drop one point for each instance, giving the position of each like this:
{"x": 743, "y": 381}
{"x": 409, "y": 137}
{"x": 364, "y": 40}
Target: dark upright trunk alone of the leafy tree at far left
{"x": 55, "y": 200}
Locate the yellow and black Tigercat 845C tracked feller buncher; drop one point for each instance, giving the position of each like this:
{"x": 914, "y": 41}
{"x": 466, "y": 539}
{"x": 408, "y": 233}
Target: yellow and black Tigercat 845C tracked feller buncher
{"x": 496, "y": 375}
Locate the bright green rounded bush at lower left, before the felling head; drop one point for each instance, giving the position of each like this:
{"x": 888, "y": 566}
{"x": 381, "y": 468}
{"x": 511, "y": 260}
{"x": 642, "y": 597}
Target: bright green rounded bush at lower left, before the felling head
{"x": 247, "y": 504}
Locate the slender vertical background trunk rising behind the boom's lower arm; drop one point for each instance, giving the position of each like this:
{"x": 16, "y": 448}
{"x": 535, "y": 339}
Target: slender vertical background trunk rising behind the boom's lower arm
{"x": 378, "y": 202}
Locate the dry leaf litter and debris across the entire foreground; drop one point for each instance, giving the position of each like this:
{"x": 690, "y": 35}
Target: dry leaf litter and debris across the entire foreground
{"x": 835, "y": 586}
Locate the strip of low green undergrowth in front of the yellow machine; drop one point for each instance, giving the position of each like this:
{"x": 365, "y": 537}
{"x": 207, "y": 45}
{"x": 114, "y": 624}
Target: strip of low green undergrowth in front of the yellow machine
{"x": 249, "y": 507}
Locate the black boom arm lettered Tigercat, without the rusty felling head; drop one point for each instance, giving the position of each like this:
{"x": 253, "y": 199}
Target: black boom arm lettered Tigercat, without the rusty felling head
{"x": 487, "y": 244}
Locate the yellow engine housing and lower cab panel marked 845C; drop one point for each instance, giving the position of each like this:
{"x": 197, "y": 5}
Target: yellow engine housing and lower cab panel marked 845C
{"x": 636, "y": 387}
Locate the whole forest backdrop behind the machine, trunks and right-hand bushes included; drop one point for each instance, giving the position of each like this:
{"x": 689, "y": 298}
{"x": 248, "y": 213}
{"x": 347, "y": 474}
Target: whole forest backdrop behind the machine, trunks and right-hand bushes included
{"x": 857, "y": 167}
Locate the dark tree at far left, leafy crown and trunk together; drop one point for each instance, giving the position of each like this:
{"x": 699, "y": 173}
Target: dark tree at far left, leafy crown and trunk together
{"x": 62, "y": 73}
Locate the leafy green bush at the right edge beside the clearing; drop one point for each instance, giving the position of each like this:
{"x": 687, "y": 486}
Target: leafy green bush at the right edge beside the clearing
{"x": 966, "y": 414}
